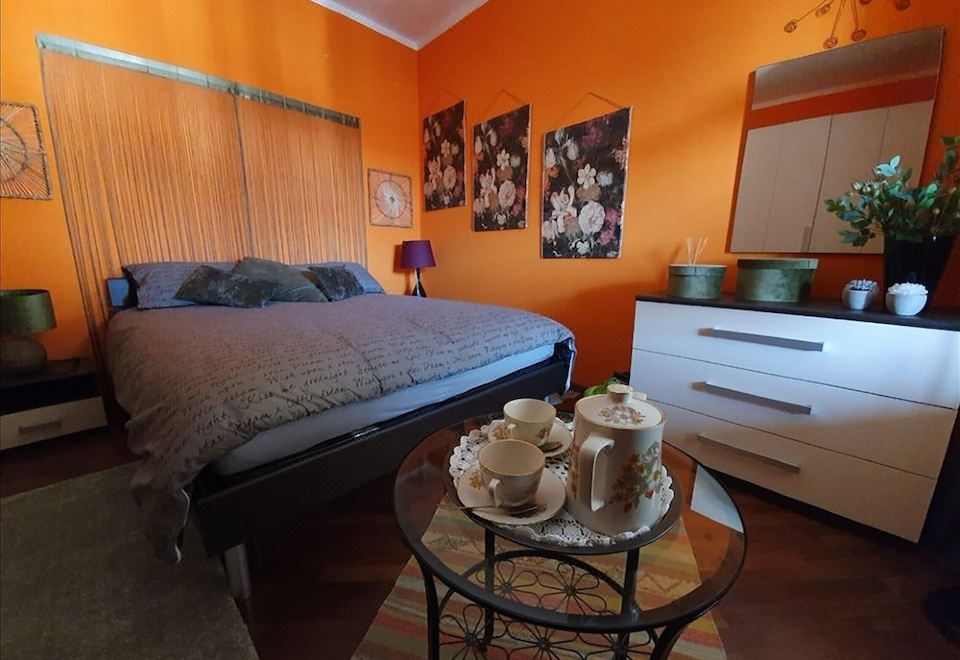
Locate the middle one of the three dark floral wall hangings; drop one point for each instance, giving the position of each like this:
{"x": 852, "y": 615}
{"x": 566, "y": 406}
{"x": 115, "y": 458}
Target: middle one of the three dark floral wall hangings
{"x": 501, "y": 159}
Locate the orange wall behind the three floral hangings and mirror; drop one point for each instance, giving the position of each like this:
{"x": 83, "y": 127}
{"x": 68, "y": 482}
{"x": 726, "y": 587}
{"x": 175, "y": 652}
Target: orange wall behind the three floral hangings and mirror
{"x": 683, "y": 66}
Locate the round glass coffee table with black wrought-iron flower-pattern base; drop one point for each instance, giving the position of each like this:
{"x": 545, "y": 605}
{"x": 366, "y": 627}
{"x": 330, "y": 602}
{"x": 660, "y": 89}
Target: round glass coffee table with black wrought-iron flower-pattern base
{"x": 503, "y": 593}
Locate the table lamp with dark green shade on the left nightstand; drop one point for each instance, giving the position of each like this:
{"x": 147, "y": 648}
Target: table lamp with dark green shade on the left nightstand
{"x": 24, "y": 312}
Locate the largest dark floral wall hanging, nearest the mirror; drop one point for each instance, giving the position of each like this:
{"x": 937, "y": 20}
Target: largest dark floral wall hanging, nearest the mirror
{"x": 584, "y": 180}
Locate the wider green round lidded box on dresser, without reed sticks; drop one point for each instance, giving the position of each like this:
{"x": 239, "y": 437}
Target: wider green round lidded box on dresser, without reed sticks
{"x": 775, "y": 280}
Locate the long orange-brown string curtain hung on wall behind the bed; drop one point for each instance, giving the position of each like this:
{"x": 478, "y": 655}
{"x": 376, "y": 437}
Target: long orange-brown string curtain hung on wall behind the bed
{"x": 158, "y": 169}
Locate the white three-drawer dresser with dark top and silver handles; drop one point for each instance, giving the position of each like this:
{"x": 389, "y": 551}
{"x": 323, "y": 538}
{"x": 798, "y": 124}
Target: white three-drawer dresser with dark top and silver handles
{"x": 851, "y": 412}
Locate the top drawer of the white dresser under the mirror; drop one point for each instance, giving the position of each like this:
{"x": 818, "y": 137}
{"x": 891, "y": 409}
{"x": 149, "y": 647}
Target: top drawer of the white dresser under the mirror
{"x": 917, "y": 364}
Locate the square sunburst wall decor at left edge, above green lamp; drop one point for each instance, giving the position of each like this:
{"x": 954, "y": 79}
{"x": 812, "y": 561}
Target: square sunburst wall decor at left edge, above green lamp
{"x": 23, "y": 162}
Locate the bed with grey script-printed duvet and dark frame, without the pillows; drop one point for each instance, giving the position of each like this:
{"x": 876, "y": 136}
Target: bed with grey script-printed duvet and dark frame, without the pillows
{"x": 249, "y": 418}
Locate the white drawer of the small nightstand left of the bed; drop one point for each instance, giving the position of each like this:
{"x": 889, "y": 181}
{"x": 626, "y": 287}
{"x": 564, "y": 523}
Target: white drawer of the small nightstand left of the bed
{"x": 28, "y": 426}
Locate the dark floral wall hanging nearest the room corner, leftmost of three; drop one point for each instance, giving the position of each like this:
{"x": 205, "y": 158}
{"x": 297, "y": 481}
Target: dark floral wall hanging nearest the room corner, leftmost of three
{"x": 443, "y": 179}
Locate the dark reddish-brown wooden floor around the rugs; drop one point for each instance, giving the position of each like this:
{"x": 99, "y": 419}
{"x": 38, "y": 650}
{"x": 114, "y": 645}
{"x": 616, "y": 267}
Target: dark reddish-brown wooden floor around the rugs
{"x": 814, "y": 586}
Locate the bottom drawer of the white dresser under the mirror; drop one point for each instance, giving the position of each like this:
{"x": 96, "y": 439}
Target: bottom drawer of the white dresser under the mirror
{"x": 873, "y": 494}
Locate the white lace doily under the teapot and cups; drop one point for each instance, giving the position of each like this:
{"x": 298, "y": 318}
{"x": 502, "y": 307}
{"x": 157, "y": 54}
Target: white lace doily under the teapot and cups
{"x": 563, "y": 529}
